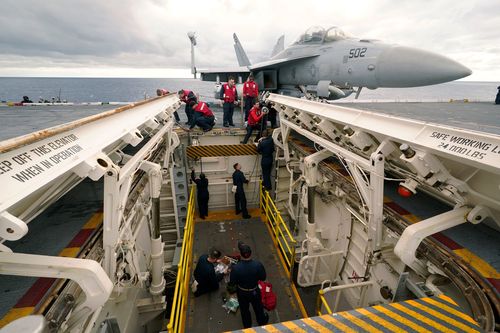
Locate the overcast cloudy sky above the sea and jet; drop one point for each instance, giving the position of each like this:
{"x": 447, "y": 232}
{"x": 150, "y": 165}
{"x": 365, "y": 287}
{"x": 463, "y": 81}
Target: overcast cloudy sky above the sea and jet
{"x": 147, "y": 38}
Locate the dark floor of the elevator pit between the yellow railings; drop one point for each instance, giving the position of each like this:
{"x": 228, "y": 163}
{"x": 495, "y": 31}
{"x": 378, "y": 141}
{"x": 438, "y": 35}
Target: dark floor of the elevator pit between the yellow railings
{"x": 205, "y": 313}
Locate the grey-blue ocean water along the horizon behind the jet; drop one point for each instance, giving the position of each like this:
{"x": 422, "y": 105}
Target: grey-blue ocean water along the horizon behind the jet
{"x": 133, "y": 89}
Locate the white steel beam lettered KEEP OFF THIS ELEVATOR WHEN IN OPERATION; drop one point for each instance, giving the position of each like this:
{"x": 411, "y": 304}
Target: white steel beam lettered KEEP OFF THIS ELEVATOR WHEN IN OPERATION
{"x": 31, "y": 164}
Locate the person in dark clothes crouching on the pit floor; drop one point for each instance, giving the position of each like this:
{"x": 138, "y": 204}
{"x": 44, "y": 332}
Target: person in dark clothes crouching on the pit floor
{"x": 204, "y": 273}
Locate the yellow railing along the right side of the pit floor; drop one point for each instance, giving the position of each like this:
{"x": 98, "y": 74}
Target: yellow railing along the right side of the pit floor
{"x": 282, "y": 236}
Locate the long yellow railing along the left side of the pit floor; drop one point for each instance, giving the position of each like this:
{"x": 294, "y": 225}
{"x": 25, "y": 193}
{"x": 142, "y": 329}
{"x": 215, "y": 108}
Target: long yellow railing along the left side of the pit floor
{"x": 179, "y": 303}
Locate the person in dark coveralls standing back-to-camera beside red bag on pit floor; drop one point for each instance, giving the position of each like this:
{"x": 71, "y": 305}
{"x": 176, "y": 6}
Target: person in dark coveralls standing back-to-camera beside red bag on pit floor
{"x": 246, "y": 275}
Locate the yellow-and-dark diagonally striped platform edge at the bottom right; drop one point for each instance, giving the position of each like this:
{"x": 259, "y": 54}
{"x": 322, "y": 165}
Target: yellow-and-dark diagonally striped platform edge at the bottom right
{"x": 429, "y": 314}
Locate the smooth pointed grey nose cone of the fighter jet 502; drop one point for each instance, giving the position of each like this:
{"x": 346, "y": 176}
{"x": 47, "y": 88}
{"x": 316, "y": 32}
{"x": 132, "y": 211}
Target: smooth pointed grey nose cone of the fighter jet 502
{"x": 401, "y": 66}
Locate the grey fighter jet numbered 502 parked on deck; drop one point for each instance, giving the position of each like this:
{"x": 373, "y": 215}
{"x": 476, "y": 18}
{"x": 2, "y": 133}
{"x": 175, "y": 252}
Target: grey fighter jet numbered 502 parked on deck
{"x": 332, "y": 64}
